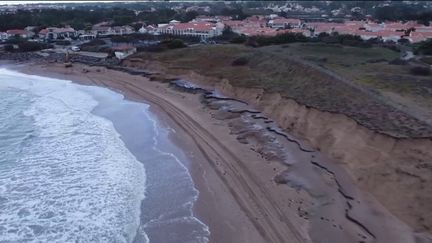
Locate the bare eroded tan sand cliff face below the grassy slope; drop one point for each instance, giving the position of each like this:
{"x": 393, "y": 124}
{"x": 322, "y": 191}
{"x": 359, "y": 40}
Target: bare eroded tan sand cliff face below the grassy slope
{"x": 398, "y": 172}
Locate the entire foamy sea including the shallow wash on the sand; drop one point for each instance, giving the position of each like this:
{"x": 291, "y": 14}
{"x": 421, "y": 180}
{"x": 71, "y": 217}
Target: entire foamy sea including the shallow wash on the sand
{"x": 82, "y": 164}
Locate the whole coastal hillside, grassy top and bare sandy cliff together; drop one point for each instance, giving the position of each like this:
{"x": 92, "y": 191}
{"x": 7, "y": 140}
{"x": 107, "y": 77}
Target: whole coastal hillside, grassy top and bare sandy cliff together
{"x": 364, "y": 107}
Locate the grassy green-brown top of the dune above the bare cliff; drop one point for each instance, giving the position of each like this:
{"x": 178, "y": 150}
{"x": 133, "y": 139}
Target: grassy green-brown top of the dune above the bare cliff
{"x": 326, "y": 76}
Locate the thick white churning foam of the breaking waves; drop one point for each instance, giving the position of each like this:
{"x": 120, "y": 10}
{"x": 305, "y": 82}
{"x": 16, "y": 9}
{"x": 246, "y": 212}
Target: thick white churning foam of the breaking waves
{"x": 74, "y": 180}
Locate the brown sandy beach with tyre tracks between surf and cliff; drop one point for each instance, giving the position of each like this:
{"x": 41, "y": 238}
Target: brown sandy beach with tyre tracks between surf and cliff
{"x": 239, "y": 199}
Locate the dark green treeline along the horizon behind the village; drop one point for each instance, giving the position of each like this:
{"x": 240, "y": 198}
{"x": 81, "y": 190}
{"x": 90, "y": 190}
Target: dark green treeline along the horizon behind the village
{"x": 83, "y": 17}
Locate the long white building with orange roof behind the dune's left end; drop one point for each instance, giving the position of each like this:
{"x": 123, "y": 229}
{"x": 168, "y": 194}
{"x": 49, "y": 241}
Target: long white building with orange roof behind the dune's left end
{"x": 203, "y": 30}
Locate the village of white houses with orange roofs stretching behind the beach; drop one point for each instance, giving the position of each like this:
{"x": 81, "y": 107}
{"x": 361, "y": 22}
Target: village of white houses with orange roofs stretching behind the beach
{"x": 208, "y": 27}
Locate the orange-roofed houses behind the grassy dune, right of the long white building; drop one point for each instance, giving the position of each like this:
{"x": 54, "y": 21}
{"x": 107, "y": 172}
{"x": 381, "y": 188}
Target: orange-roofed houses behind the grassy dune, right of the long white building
{"x": 387, "y": 31}
